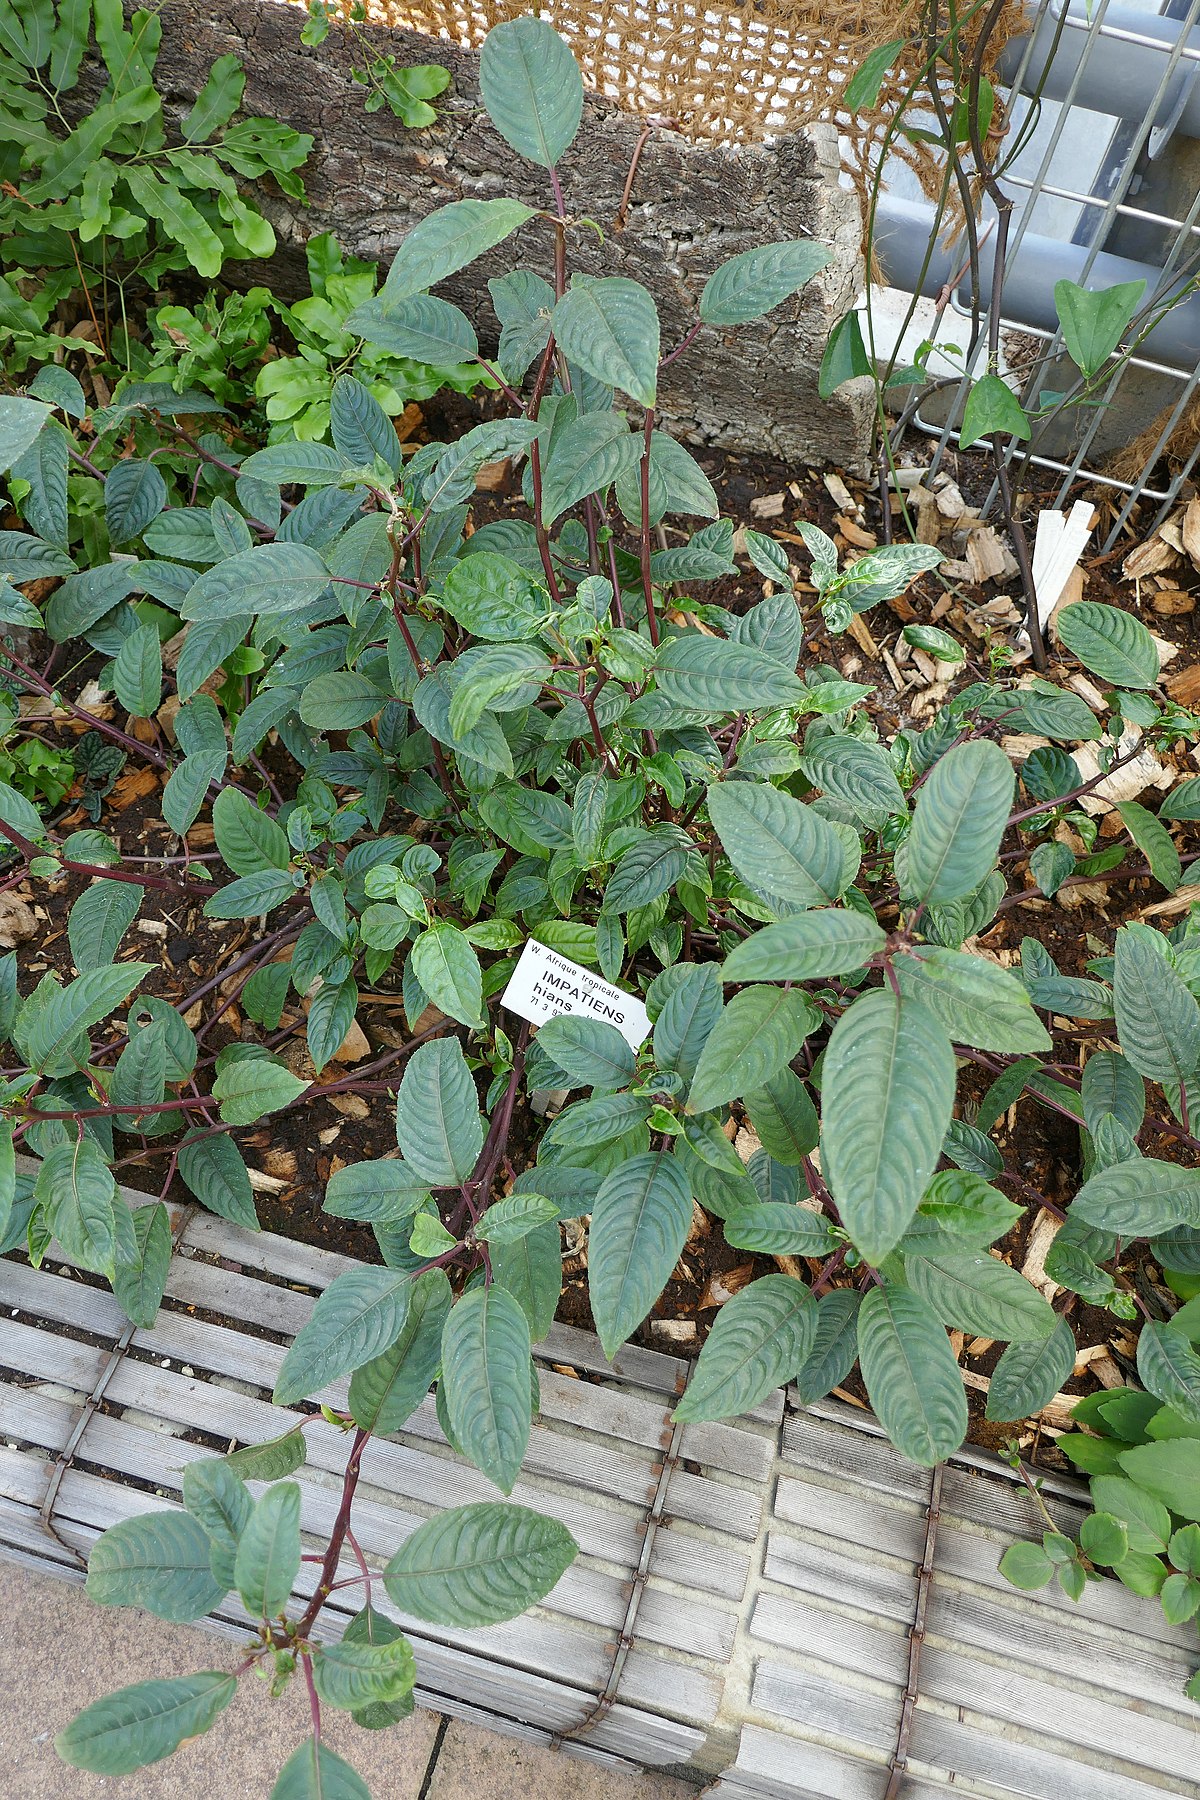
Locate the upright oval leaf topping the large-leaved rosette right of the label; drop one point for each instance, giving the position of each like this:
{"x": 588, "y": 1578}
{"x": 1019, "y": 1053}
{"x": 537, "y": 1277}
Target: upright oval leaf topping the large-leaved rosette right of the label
{"x": 958, "y": 823}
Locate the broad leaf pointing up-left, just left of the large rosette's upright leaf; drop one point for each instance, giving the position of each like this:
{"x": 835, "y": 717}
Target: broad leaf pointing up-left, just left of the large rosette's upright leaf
{"x": 780, "y": 845}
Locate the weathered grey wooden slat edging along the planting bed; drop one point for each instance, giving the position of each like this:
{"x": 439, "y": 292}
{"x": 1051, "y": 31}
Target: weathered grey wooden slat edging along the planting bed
{"x": 771, "y": 1642}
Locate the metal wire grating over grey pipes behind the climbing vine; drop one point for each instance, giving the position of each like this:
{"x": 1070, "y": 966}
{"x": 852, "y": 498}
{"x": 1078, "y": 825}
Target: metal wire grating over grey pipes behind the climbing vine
{"x": 1106, "y": 103}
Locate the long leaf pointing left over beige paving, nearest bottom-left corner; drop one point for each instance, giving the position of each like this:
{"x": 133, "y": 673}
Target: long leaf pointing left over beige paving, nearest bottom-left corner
{"x": 143, "y": 1723}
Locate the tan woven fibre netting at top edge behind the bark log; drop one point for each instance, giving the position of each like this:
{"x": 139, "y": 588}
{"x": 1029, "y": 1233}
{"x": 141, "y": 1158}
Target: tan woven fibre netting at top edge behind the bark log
{"x": 724, "y": 73}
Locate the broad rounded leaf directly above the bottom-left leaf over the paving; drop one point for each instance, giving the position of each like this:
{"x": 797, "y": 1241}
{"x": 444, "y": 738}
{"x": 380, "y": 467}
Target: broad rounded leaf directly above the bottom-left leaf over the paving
{"x": 157, "y": 1561}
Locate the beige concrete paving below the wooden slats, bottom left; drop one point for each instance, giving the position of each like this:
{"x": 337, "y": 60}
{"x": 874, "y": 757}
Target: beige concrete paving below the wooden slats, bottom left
{"x": 58, "y": 1653}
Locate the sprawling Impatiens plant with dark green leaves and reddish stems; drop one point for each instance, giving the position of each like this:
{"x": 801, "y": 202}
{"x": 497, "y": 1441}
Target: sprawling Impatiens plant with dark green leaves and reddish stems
{"x": 416, "y": 746}
